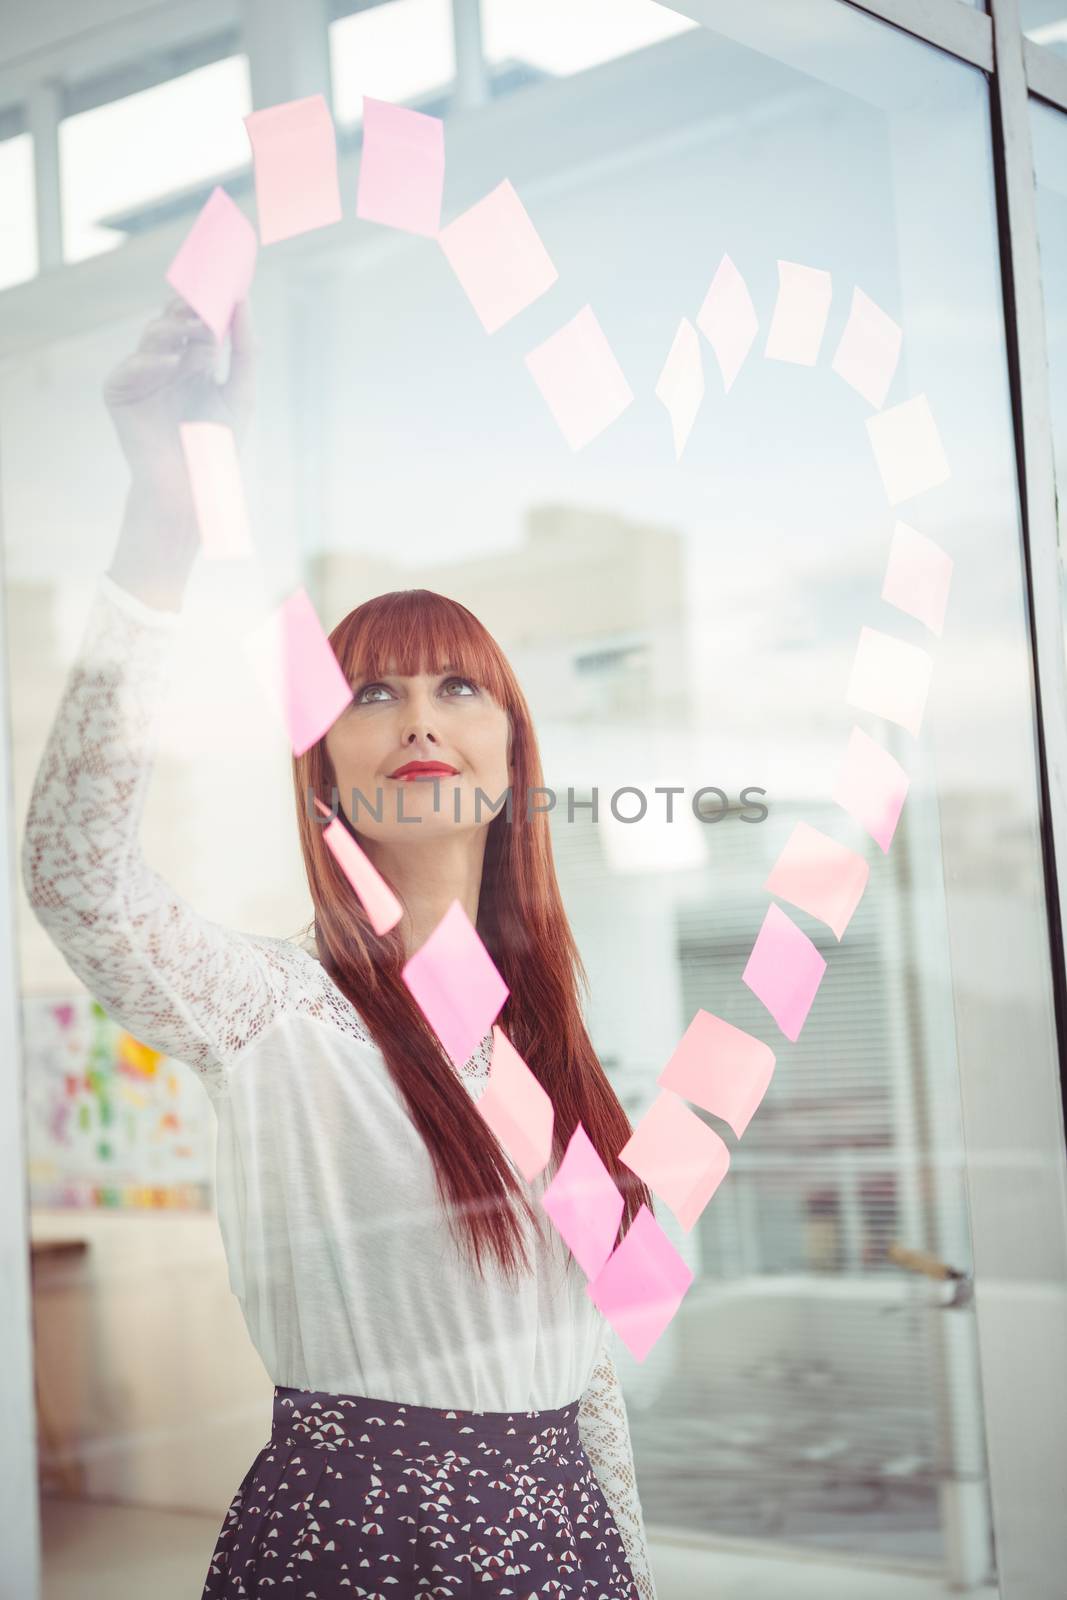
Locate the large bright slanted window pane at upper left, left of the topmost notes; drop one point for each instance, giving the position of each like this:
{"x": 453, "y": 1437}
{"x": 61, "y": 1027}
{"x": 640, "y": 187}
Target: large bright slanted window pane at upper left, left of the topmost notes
{"x": 119, "y": 158}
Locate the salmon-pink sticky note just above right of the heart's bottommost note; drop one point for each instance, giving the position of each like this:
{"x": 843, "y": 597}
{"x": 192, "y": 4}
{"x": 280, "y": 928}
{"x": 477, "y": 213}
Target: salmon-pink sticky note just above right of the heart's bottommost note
{"x": 677, "y": 1156}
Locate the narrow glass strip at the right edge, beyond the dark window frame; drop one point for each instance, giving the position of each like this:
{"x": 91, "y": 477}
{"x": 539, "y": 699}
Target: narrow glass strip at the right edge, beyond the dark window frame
{"x": 1050, "y": 166}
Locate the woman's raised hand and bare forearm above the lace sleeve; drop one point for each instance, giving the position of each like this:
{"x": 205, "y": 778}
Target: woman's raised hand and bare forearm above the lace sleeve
{"x": 170, "y": 380}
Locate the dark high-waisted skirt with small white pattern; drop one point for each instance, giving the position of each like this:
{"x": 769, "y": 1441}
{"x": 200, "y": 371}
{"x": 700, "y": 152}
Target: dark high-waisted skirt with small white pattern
{"x": 383, "y": 1502}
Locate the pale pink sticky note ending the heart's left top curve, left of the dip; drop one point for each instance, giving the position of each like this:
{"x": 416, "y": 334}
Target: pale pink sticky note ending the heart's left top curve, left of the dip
{"x": 580, "y": 378}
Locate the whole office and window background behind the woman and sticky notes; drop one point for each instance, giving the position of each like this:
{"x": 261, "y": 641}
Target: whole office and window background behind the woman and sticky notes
{"x": 817, "y": 1420}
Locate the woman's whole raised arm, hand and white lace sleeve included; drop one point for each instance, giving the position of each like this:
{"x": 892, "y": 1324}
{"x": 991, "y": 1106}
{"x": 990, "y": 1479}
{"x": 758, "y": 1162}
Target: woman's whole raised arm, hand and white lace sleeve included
{"x": 178, "y": 982}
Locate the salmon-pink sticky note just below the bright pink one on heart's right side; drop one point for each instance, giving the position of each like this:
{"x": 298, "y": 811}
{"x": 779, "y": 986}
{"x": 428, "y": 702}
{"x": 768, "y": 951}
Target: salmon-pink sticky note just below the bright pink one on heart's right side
{"x": 721, "y": 1068}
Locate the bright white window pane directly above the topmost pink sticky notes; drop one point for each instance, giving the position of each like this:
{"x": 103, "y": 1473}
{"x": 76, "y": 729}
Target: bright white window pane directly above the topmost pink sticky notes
{"x": 399, "y": 52}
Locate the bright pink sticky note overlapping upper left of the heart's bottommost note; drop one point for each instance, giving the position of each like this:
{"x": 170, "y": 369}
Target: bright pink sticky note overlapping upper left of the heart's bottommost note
{"x": 642, "y": 1286}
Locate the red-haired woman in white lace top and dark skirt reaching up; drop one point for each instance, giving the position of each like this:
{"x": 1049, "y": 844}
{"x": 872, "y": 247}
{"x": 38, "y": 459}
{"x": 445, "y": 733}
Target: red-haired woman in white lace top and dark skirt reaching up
{"x": 447, "y": 1412}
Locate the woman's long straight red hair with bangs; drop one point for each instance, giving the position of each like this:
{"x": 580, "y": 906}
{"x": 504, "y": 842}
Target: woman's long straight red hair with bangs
{"x": 521, "y": 922}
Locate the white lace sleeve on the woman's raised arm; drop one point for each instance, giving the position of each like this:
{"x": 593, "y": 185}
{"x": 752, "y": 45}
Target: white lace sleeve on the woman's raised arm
{"x": 180, "y": 983}
